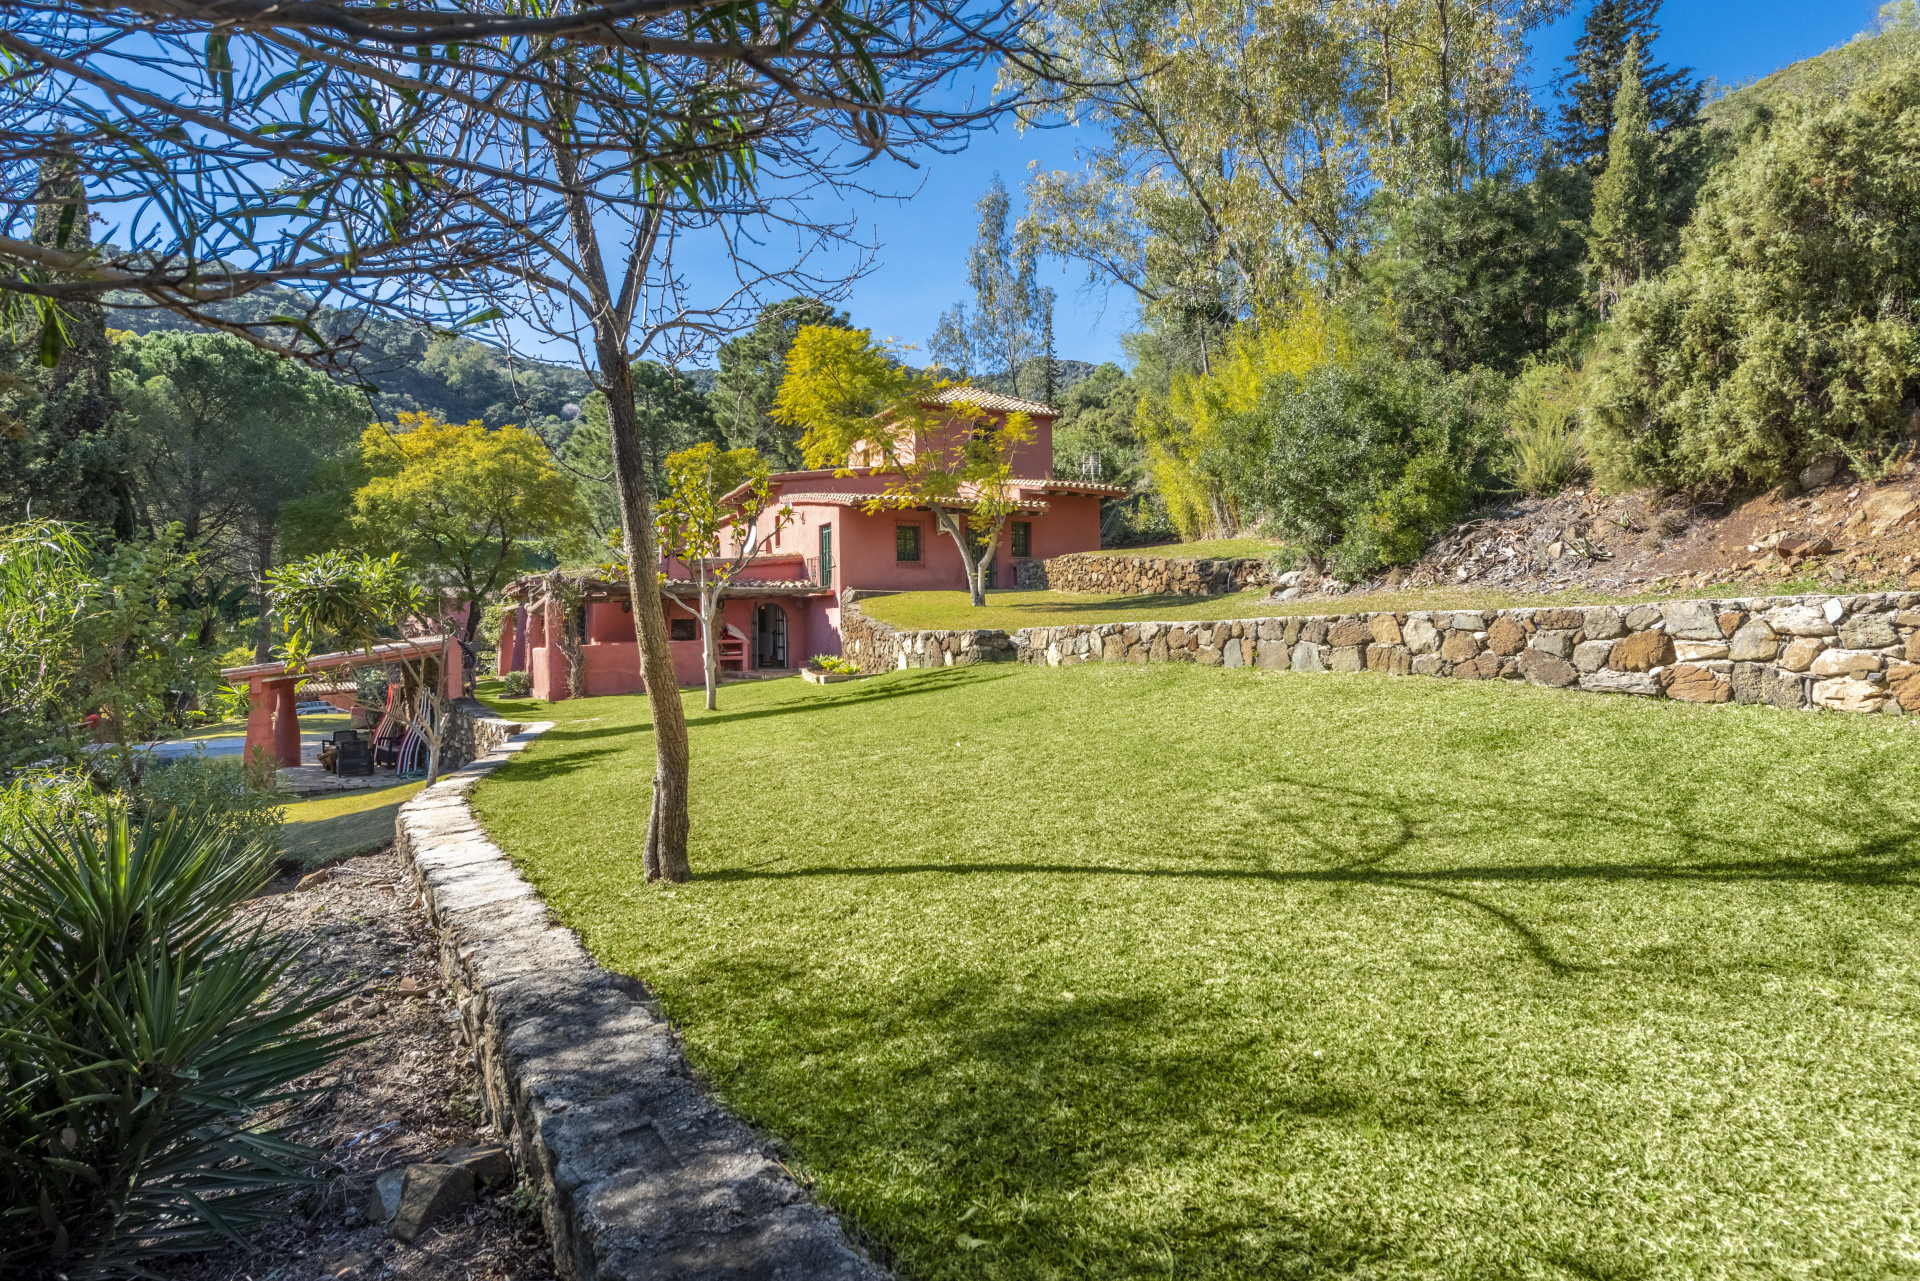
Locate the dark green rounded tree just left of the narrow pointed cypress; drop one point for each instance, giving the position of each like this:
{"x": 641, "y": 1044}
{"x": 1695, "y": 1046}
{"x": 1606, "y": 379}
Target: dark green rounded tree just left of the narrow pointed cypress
{"x": 1485, "y": 276}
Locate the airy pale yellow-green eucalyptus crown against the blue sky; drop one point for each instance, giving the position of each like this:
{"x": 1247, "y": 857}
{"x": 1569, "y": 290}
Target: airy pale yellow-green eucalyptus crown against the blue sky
{"x": 1243, "y": 139}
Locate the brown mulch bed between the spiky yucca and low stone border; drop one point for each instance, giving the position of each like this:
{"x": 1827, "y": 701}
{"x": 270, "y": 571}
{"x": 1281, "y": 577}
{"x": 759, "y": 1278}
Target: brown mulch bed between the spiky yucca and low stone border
{"x": 400, "y": 1098}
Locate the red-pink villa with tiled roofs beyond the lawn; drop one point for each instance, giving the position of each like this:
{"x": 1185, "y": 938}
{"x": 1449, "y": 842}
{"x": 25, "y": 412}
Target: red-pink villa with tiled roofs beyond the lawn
{"x": 784, "y": 608}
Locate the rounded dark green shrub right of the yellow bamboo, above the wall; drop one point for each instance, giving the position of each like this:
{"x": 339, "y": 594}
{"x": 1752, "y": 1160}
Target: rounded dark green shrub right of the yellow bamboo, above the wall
{"x": 1362, "y": 464}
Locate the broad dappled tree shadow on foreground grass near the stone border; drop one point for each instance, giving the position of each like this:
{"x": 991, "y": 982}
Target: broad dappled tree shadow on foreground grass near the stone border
{"x": 1034, "y": 1113}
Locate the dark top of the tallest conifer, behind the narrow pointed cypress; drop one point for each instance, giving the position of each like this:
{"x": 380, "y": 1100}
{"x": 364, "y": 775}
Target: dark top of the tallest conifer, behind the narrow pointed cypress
{"x": 1591, "y": 87}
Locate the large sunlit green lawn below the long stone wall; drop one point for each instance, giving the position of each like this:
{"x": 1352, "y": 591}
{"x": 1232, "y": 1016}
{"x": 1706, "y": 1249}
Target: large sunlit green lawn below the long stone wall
{"x": 1193, "y": 973}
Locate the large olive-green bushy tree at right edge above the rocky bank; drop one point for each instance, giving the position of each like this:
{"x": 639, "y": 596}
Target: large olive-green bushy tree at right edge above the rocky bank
{"x": 1787, "y": 327}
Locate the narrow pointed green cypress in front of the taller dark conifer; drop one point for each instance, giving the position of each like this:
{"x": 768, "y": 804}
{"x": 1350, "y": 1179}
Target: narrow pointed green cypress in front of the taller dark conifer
{"x": 1629, "y": 226}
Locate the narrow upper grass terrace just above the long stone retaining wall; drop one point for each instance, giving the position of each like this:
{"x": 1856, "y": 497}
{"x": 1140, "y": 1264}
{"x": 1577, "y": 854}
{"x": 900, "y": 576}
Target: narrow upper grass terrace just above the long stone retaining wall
{"x": 1011, "y": 612}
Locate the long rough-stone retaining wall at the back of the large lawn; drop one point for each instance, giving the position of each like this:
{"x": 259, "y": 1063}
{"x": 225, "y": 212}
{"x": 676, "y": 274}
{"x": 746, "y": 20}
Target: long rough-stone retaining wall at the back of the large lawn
{"x": 1858, "y": 654}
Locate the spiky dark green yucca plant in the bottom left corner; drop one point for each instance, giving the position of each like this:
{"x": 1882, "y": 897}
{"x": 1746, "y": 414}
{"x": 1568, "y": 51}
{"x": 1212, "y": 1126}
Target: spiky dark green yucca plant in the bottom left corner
{"x": 147, "y": 1046}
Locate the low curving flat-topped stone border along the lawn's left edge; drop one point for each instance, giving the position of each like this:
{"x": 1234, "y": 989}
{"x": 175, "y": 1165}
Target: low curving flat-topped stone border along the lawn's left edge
{"x": 642, "y": 1176}
